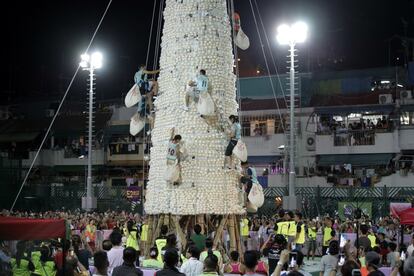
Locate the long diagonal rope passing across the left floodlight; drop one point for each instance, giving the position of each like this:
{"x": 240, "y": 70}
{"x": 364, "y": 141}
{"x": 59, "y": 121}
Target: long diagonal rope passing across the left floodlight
{"x": 58, "y": 109}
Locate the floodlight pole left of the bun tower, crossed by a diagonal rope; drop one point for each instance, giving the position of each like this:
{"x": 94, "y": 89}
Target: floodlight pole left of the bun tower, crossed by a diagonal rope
{"x": 90, "y": 63}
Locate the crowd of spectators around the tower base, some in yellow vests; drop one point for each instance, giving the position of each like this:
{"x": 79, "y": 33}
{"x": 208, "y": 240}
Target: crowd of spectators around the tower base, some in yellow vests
{"x": 280, "y": 245}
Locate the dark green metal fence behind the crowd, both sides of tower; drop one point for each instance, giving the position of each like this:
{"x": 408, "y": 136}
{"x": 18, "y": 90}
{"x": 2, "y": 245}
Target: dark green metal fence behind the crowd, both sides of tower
{"x": 315, "y": 201}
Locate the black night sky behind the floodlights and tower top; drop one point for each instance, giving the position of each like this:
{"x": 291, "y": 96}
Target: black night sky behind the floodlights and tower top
{"x": 43, "y": 40}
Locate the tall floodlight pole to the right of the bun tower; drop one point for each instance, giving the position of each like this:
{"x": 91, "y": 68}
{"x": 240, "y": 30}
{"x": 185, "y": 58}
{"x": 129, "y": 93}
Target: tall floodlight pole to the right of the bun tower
{"x": 290, "y": 35}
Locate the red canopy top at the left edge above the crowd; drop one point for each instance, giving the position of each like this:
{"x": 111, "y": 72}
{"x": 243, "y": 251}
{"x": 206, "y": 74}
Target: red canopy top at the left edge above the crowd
{"x": 12, "y": 228}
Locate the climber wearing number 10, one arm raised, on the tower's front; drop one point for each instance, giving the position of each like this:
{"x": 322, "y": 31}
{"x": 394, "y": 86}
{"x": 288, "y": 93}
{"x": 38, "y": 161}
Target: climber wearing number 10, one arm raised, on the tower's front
{"x": 173, "y": 158}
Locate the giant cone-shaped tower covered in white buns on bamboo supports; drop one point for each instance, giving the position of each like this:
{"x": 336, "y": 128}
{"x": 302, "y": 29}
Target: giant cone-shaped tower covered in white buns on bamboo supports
{"x": 196, "y": 35}
